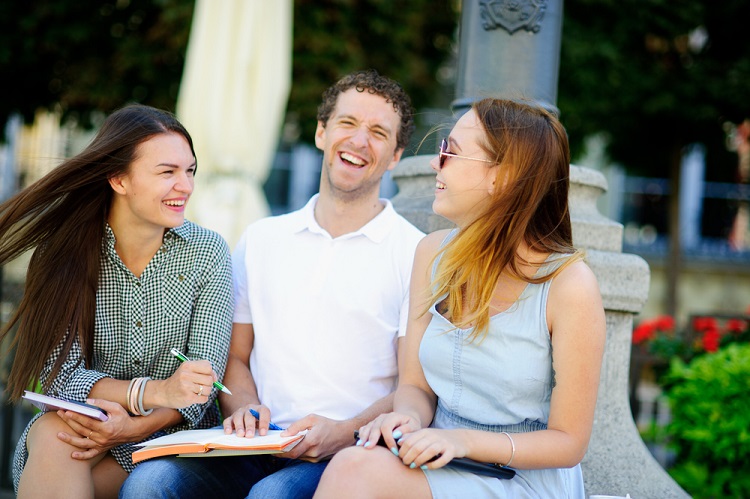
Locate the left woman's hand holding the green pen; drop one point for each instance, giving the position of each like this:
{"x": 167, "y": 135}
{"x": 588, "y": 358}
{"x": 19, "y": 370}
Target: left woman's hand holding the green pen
{"x": 190, "y": 384}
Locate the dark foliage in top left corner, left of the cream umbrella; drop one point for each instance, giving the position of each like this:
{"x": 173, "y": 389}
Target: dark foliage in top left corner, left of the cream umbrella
{"x": 94, "y": 55}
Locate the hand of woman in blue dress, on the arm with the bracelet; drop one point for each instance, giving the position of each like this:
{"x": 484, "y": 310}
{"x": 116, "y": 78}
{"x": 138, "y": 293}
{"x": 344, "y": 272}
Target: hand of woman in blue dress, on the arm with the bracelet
{"x": 431, "y": 448}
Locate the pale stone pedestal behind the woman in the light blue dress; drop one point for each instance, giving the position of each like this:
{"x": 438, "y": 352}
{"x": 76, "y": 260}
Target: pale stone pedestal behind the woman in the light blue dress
{"x": 617, "y": 461}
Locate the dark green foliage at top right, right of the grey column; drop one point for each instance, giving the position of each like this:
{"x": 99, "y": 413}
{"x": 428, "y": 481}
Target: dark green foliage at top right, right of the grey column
{"x": 637, "y": 71}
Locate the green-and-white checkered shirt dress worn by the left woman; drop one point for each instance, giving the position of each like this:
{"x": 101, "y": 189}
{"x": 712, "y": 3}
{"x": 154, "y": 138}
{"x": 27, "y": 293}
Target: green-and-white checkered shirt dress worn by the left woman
{"x": 182, "y": 300}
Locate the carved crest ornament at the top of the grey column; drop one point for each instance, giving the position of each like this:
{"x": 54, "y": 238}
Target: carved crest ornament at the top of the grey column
{"x": 512, "y": 15}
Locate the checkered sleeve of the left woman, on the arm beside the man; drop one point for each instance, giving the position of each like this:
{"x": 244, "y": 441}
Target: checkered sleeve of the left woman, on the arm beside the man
{"x": 211, "y": 325}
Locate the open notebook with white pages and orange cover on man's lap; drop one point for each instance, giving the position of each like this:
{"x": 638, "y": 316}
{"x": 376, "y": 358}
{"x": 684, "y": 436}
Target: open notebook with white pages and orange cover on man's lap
{"x": 213, "y": 442}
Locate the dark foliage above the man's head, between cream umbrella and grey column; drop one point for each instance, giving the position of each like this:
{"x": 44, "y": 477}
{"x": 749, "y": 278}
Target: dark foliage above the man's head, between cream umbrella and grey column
{"x": 407, "y": 40}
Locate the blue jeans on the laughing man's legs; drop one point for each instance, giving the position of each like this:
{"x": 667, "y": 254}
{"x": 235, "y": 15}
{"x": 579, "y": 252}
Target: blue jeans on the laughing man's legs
{"x": 263, "y": 476}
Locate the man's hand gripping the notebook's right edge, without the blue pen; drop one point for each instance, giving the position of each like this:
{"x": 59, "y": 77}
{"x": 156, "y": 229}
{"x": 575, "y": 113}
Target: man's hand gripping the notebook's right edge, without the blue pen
{"x": 324, "y": 438}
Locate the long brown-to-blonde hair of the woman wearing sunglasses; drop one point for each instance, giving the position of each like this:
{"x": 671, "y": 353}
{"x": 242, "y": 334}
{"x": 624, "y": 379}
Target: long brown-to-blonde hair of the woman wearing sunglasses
{"x": 530, "y": 148}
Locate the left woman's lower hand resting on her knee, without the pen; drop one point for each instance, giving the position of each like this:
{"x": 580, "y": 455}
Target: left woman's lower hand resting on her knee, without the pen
{"x": 95, "y": 437}
